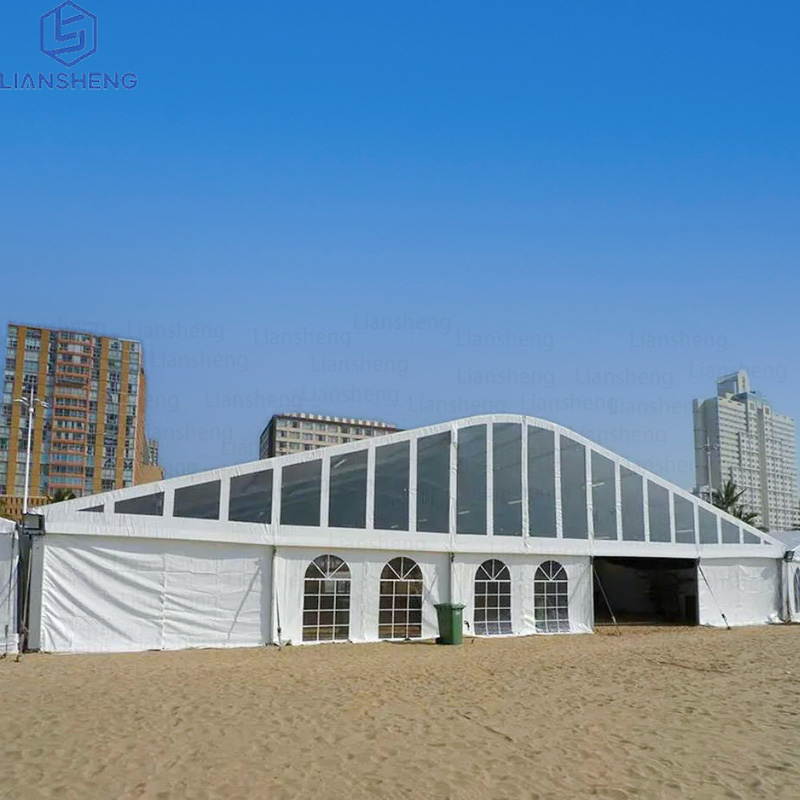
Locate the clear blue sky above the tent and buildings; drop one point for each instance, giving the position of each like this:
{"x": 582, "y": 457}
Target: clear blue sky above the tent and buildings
{"x": 415, "y": 211}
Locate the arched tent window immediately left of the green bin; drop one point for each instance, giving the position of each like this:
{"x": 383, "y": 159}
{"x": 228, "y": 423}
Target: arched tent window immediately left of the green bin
{"x": 401, "y": 600}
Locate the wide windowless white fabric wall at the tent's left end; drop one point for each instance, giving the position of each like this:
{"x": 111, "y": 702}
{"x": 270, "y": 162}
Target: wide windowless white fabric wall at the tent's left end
{"x": 124, "y": 594}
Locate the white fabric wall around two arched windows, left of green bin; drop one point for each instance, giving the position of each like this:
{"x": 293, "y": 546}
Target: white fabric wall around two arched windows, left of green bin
{"x": 365, "y": 568}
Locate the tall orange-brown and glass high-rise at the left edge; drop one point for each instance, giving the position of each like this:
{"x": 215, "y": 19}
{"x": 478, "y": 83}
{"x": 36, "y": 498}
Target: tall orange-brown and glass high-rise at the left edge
{"x": 90, "y": 436}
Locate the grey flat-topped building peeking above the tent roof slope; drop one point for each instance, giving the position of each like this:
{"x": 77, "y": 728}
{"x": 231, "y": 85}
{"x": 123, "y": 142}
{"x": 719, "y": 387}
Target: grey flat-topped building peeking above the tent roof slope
{"x": 293, "y": 433}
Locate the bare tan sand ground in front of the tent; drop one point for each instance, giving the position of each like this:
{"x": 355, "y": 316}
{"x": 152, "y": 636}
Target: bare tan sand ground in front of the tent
{"x": 653, "y": 712}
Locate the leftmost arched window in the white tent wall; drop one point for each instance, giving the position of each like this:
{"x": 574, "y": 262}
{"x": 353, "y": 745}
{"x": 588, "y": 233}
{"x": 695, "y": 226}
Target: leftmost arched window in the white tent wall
{"x": 326, "y": 601}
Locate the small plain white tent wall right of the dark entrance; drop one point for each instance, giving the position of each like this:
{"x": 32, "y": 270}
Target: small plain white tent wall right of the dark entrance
{"x": 746, "y": 590}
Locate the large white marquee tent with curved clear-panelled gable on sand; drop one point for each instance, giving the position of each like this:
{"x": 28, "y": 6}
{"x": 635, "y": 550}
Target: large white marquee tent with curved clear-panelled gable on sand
{"x": 533, "y": 528}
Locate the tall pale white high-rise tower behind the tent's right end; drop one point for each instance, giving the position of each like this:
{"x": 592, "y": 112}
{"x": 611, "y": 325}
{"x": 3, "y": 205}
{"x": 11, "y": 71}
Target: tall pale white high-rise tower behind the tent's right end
{"x": 738, "y": 436}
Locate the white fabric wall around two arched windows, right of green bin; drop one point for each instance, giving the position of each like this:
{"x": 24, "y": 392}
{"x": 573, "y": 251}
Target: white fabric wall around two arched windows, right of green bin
{"x": 523, "y": 571}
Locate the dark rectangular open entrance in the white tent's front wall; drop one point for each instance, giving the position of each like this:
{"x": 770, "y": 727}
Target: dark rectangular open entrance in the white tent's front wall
{"x": 645, "y": 591}
